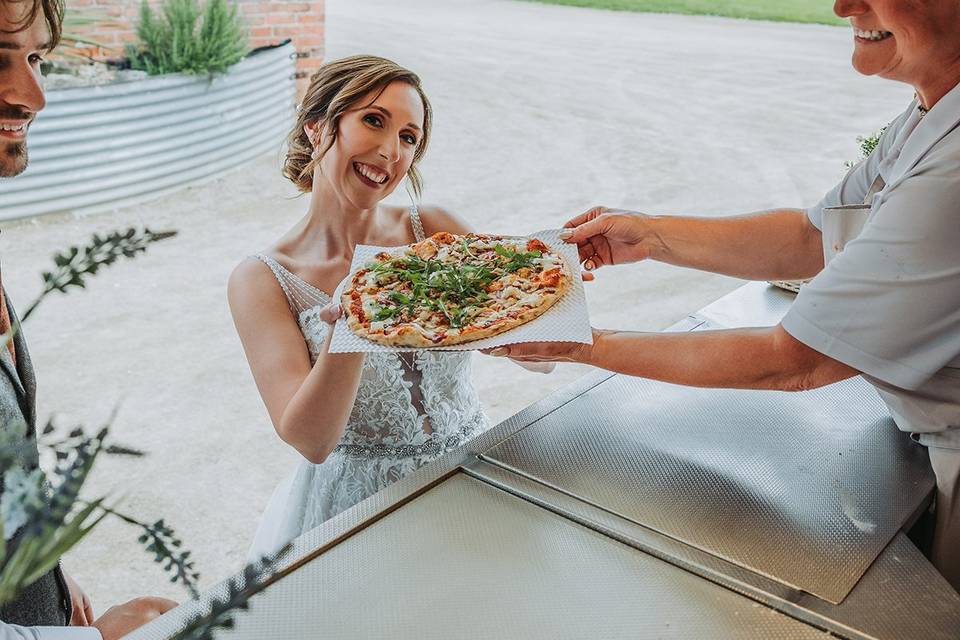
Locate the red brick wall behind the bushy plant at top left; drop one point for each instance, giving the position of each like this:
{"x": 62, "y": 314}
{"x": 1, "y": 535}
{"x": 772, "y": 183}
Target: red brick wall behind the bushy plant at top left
{"x": 267, "y": 23}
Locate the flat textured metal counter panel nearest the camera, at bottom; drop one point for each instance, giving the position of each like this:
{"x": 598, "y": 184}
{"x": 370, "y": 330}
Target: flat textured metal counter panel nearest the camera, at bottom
{"x": 468, "y": 560}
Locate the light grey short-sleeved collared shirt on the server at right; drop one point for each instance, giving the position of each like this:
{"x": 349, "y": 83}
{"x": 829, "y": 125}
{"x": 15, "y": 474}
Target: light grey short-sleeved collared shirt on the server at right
{"x": 889, "y": 303}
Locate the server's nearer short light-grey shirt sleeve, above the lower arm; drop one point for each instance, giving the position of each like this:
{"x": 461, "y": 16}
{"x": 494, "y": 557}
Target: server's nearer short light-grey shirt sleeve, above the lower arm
{"x": 889, "y": 303}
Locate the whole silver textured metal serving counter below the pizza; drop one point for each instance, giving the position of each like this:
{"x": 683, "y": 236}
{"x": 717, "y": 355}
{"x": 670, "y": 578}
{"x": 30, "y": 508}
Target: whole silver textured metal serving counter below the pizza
{"x": 619, "y": 507}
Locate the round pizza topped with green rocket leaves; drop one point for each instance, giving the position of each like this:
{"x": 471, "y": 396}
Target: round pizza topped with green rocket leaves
{"x": 450, "y": 289}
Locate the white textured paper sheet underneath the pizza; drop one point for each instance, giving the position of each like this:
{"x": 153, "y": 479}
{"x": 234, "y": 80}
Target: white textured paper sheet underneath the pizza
{"x": 566, "y": 321}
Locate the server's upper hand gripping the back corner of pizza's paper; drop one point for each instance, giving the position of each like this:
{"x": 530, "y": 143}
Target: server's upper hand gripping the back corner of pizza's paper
{"x": 606, "y": 237}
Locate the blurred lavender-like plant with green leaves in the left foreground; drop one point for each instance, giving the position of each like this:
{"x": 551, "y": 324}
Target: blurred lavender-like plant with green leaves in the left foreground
{"x": 42, "y": 518}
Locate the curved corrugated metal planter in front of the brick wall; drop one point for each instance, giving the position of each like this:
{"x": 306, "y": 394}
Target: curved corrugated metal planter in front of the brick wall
{"x": 93, "y": 148}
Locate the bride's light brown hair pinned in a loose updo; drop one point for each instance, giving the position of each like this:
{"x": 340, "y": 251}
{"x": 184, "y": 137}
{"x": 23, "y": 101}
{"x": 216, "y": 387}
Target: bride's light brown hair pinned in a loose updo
{"x": 335, "y": 89}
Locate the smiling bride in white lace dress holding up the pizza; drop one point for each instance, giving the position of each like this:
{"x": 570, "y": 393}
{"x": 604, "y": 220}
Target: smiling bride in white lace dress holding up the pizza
{"x": 361, "y": 421}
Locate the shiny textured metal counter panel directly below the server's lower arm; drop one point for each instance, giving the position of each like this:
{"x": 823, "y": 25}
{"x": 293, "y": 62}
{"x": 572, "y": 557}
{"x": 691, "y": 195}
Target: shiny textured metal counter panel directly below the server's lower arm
{"x": 804, "y": 488}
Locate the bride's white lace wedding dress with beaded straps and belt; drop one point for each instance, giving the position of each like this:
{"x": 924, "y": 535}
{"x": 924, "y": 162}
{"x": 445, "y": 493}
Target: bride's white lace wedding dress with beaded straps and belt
{"x": 410, "y": 408}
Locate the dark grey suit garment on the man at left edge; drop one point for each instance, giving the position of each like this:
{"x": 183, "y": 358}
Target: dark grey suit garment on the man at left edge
{"x": 46, "y": 601}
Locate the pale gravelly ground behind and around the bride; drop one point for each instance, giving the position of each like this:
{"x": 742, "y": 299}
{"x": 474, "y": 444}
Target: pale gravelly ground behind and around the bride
{"x": 541, "y": 112}
